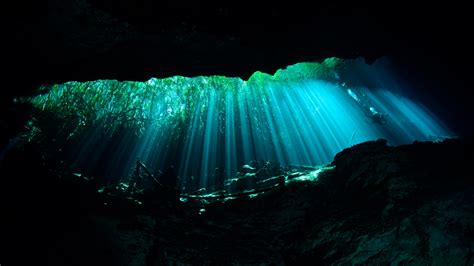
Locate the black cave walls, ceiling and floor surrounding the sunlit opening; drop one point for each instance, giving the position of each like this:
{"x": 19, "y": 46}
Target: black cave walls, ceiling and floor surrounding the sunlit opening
{"x": 373, "y": 204}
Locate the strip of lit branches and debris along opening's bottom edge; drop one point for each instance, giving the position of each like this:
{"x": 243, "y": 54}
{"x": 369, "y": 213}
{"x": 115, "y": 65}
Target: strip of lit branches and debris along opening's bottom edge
{"x": 261, "y": 177}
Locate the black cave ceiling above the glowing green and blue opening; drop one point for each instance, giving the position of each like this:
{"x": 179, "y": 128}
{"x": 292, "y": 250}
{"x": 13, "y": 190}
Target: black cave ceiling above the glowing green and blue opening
{"x": 55, "y": 41}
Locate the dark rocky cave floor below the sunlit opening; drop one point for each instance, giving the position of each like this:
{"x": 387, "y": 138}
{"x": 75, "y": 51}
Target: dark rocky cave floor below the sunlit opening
{"x": 379, "y": 205}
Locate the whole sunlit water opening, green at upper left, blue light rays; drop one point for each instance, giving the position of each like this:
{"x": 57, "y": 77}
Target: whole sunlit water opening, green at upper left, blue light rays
{"x": 208, "y": 127}
